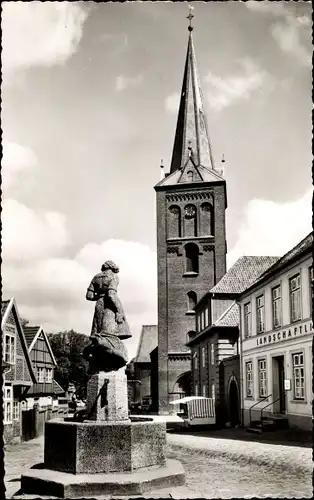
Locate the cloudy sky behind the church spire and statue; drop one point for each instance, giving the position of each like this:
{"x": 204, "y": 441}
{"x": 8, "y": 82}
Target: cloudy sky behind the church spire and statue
{"x": 89, "y": 106}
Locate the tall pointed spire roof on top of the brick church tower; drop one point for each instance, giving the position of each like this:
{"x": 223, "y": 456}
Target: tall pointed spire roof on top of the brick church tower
{"x": 192, "y": 159}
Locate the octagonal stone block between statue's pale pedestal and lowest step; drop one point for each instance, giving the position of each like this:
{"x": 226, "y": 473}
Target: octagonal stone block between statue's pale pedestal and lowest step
{"x": 92, "y": 447}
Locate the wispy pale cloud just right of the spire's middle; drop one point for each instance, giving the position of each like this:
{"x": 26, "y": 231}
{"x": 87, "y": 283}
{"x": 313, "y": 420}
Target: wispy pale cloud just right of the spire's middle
{"x": 224, "y": 92}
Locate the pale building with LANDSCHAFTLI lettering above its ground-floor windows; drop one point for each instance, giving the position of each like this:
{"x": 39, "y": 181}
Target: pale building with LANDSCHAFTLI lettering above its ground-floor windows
{"x": 276, "y": 340}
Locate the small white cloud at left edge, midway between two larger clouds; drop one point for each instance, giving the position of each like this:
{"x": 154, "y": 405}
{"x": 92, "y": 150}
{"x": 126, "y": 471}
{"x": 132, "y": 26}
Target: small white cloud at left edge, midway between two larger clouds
{"x": 15, "y": 160}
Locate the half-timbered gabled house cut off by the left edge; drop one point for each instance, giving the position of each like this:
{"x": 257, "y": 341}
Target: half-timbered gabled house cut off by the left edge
{"x": 17, "y": 368}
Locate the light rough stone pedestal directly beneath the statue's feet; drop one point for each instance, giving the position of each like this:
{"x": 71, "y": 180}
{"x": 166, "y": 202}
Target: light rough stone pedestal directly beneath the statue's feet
{"x": 112, "y": 404}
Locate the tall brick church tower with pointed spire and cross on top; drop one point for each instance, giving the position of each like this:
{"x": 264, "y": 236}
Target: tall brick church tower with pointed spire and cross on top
{"x": 191, "y": 240}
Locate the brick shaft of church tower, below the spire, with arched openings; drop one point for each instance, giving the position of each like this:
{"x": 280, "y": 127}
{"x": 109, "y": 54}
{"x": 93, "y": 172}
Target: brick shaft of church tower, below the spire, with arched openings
{"x": 173, "y": 287}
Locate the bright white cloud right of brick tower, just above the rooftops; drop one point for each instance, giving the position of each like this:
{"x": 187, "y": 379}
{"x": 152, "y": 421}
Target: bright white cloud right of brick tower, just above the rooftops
{"x": 271, "y": 228}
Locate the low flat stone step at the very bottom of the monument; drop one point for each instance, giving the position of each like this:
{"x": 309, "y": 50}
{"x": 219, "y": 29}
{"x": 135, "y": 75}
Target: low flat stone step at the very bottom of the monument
{"x": 63, "y": 485}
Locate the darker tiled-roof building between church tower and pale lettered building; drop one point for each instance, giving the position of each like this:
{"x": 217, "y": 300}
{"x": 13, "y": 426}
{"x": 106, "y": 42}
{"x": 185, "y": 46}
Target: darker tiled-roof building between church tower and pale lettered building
{"x": 215, "y": 343}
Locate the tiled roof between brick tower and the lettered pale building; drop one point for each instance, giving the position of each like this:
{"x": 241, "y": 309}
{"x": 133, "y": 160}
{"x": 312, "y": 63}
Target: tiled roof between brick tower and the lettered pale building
{"x": 243, "y": 274}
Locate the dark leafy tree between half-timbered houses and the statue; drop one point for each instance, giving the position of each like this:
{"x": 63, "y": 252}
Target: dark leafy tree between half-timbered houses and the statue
{"x": 67, "y": 348}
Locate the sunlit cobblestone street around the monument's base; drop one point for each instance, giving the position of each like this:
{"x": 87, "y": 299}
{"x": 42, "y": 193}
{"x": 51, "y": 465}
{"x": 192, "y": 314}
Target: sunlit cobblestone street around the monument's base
{"x": 215, "y": 468}
